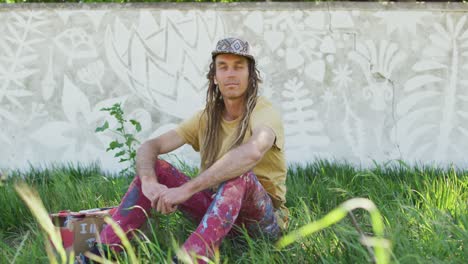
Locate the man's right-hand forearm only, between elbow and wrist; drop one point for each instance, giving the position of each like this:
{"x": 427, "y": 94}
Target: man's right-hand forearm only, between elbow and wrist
{"x": 233, "y": 164}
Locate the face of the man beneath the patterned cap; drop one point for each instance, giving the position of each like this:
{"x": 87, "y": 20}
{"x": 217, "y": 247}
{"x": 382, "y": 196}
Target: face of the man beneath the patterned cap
{"x": 232, "y": 75}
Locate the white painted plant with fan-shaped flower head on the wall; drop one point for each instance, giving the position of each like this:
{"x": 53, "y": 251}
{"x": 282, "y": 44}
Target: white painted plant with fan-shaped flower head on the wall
{"x": 377, "y": 62}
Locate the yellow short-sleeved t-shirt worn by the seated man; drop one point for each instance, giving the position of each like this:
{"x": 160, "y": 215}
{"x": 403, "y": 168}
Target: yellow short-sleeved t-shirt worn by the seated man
{"x": 271, "y": 170}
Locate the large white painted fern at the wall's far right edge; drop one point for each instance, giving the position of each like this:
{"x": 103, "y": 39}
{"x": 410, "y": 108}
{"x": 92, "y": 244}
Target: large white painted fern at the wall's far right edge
{"x": 433, "y": 110}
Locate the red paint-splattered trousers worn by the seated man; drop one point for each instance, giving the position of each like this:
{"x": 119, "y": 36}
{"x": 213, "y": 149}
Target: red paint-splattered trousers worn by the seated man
{"x": 241, "y": 201}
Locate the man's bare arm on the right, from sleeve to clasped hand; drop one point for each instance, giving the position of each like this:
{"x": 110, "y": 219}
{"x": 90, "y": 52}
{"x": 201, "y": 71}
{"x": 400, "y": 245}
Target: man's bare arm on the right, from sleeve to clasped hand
{"x": 233, "y": 164}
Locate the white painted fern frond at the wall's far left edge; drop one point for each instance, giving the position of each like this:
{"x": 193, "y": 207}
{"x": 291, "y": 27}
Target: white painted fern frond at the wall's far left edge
{"x": 17, "y": 53}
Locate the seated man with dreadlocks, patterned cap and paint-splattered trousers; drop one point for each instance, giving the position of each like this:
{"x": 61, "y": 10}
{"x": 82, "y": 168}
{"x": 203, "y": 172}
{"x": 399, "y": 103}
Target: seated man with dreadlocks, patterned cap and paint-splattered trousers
{"x": 242, "y": 180}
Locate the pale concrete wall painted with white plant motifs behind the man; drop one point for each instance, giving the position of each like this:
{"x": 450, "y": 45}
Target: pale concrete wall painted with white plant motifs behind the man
{"x": 354, "y": 81}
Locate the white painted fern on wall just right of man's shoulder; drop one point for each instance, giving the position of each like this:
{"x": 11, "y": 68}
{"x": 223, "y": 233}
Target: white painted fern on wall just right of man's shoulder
{"x": 304, "y": 129}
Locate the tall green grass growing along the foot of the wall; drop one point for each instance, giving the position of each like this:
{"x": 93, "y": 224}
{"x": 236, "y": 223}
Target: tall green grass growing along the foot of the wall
{"x": 425, "y": 212}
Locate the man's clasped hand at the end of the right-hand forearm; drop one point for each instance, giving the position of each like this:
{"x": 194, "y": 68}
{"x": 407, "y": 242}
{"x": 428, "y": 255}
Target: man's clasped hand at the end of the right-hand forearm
{"x": 170, "y": 198}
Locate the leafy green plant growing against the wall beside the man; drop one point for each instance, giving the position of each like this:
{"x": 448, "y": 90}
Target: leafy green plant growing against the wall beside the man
{"x": 126, "y": 142}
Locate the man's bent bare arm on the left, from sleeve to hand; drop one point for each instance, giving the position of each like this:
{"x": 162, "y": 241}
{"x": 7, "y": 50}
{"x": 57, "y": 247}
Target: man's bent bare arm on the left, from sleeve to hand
{"x": 146, "y": 158}
